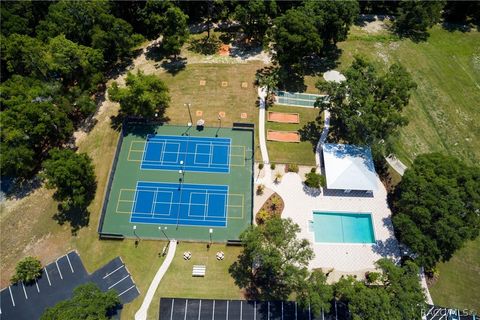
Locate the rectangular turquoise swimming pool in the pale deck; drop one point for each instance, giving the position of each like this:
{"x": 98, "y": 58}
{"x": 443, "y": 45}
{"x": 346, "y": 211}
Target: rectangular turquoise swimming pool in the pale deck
{"x": 343, "y": 227}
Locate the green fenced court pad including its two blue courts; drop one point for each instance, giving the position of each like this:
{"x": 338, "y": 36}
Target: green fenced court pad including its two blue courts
{"x": 199, "y": 188}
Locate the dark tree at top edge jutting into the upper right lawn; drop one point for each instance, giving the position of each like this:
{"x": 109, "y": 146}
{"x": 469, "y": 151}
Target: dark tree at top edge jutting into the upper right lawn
{"x": 415, "y": 17}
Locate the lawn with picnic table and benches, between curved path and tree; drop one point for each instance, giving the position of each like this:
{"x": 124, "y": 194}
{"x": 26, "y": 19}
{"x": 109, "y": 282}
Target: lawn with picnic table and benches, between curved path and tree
{"x": 217, "y": 283}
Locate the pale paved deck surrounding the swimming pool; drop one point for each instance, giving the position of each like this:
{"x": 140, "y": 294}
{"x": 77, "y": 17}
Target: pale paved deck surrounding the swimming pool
{"x": 343, "y": 258}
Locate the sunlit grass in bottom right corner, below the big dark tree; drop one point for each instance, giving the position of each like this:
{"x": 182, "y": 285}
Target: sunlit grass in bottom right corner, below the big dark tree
{"x": 459, "y": 280}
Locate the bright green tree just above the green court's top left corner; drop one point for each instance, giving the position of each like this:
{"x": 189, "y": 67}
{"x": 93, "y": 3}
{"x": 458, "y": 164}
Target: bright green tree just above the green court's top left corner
{"x": 144, "y": 96}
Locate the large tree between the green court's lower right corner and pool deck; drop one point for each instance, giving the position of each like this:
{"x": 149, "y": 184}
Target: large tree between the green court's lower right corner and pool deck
{"x": 273, "y": 262}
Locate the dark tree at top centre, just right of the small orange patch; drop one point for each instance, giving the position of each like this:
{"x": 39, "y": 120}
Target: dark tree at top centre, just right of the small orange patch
{"x": 255, "y": 17}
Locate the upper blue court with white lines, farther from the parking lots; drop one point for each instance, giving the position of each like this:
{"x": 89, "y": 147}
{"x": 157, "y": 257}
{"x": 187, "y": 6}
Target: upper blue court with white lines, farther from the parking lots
{"x": 200, "y": 154}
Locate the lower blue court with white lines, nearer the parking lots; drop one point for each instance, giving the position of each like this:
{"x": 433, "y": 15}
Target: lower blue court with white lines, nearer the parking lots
{"x": 180, "y": 204}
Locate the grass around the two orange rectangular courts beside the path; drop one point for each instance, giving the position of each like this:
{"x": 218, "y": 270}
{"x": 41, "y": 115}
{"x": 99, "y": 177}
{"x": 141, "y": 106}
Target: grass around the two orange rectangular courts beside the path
{"x": 286, "y": 152}
